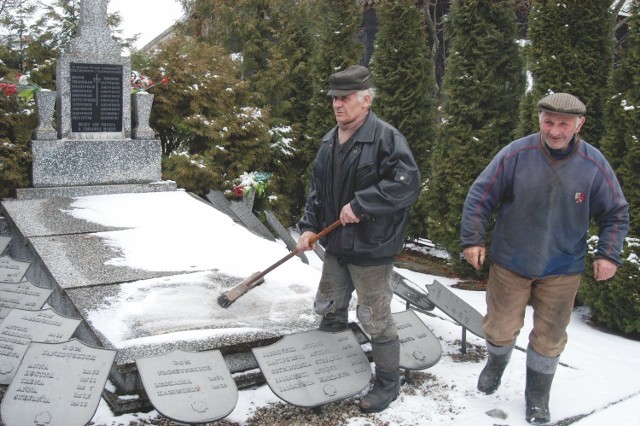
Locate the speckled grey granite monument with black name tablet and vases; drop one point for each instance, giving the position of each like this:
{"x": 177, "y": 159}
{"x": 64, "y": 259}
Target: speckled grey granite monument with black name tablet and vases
{"x": 94, "y": 149}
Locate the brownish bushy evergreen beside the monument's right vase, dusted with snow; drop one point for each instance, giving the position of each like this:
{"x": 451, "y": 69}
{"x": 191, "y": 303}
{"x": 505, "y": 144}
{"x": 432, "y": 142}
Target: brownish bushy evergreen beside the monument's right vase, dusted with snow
{"x": 205, "y": 113}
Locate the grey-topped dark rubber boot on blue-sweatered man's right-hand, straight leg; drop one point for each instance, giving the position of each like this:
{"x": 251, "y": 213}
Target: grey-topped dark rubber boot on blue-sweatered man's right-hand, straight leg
{"x": 540, "y": 372}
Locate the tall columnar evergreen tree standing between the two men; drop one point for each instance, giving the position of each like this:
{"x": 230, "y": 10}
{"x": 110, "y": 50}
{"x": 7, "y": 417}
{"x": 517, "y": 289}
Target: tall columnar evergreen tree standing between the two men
{"x": 482, "y": 88}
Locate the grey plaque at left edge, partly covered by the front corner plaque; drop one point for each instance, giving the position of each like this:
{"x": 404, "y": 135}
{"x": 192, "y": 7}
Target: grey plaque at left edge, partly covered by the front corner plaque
{"x": 22, "y": 327}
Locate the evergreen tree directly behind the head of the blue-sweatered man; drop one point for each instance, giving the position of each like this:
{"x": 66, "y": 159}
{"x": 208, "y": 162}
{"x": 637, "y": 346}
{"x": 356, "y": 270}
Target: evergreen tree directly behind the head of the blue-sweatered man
{"x": 571, "y": 50}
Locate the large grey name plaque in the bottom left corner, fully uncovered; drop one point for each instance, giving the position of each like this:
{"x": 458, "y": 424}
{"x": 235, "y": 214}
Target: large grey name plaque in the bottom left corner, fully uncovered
{"x": 57, "y": 384}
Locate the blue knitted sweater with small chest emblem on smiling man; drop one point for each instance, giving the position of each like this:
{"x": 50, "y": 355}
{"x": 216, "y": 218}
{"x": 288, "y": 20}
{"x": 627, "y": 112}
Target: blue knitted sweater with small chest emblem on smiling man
{"x": 544, "y": 206}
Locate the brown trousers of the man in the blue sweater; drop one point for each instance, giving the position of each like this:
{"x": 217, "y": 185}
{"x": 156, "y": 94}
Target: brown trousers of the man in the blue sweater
{"x": 552, "y": 299}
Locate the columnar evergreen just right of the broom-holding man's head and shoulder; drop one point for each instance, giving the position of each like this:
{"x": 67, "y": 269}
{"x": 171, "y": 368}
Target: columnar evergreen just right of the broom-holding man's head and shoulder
{"x": 404, "y": 76}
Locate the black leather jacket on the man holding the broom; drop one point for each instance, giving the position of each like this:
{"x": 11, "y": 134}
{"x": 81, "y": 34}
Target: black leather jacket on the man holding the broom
{"x": 382, "y": 181}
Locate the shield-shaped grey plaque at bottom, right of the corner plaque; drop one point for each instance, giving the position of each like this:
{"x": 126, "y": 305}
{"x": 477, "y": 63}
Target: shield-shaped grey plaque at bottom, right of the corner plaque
{"x": 189, "y": 387}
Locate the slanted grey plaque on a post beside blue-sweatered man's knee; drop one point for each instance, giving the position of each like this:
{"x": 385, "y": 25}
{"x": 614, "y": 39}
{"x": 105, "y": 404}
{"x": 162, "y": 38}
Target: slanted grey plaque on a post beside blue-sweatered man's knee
{"x": 459, "y": 310}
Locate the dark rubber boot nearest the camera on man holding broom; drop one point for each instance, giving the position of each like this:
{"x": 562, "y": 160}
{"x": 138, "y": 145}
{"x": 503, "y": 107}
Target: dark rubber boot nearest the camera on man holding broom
{"x": 386, "y": 385}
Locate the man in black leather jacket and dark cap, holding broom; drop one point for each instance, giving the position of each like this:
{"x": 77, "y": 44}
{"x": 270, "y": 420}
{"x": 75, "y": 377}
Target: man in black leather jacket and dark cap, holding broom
{"x": 365, "y": 175}
